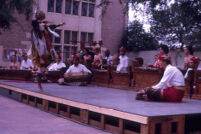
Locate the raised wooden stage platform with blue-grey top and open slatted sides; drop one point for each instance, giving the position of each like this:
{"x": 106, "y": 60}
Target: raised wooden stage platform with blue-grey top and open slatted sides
{"x": 112, "y": 109}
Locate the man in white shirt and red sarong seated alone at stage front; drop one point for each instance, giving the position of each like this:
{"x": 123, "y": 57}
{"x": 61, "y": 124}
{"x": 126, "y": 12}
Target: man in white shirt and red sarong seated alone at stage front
{"x": 169, "y": 89}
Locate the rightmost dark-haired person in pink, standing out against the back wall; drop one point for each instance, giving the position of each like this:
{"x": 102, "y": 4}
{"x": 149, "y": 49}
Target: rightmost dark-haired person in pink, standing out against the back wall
{"x": 188, "y": 51}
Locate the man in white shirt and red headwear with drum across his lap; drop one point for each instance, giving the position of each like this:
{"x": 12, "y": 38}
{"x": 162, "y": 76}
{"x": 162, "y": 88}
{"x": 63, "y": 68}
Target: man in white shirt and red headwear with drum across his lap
{"x": 76, "y": 74}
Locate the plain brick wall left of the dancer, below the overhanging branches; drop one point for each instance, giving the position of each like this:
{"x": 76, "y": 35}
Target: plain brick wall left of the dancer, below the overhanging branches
{"x": 16, "y": 38}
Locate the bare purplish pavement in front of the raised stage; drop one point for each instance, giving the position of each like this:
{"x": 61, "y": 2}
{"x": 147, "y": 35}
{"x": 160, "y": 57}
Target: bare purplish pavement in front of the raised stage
{"x": 18, "y": 118}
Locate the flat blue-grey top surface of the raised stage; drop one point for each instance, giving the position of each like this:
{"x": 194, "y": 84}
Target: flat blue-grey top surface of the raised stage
{"x": 121, "y": 100}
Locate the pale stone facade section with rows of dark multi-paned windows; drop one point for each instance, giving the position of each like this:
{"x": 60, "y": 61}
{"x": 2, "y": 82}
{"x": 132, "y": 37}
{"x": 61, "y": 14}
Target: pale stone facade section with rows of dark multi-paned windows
{"x": 83, "y": 23}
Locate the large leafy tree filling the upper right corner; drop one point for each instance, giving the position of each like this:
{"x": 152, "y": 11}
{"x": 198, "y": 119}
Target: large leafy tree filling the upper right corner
{"x": 178, "y": 22}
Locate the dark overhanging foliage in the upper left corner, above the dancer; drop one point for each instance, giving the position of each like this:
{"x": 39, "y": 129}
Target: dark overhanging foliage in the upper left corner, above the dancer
{"x": 9, "y": 7}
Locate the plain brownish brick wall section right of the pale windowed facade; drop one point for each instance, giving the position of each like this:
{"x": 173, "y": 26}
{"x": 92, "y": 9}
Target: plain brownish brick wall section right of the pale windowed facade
{"x": 114, "y": 23}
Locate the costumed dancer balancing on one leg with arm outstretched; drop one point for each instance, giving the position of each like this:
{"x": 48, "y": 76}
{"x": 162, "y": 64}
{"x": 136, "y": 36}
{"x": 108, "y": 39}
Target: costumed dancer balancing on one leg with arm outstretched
{"x": 42, "y": 50}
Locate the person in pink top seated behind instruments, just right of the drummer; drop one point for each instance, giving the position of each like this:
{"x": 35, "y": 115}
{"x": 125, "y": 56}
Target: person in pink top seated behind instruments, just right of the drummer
{"x": 98, "y": 61}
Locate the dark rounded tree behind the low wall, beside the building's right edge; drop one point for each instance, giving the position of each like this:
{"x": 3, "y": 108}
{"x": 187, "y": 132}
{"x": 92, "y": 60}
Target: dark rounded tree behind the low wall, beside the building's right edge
{"x": 136, "y": 39}
